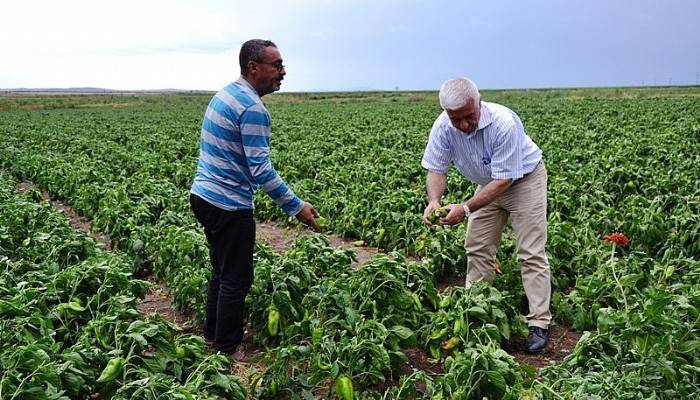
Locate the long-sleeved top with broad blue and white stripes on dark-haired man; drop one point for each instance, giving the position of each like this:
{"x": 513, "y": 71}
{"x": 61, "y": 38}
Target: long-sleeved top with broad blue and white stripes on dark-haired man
{"x": 234, "y": 156}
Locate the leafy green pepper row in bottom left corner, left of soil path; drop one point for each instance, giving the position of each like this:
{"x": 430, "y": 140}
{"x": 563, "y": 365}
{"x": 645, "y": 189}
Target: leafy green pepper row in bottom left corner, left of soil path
{"x": 69, "y": 327}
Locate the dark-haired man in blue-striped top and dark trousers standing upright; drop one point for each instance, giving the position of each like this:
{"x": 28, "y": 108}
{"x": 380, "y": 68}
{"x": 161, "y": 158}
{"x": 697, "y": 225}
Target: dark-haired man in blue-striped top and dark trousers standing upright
{"x": 234, "y": 160}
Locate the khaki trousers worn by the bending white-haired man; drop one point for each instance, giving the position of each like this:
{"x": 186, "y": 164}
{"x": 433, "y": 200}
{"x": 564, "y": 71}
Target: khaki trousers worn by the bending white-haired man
{"x": 526, "y": 203}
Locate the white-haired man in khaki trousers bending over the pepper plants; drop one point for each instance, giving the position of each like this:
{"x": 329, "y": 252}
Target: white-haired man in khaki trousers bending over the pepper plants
{"x": 489, "y": 146}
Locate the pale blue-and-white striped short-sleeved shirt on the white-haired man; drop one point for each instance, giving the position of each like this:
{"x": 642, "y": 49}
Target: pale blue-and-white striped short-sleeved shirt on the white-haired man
{"x": 498, "y": 149}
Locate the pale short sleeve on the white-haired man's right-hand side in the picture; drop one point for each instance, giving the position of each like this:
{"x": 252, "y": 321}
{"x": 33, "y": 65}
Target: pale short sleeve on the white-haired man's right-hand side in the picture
{"x": 506, "y": 159}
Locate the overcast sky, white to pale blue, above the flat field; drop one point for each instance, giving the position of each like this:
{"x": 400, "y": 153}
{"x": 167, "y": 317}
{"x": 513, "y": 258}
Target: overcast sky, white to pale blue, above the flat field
{"x": 350, "y": 45}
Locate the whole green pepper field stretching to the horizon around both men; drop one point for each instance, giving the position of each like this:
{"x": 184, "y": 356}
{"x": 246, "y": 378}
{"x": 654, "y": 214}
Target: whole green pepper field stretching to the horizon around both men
{"x": 619, "y": 160}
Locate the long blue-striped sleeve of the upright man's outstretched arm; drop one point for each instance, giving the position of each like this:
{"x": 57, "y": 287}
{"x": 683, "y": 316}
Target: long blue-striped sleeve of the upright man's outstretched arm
{"x": 255, "y": 135}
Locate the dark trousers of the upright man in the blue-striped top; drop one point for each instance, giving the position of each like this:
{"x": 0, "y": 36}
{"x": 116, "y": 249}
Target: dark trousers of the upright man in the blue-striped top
{"x": 231, "y": 238}
